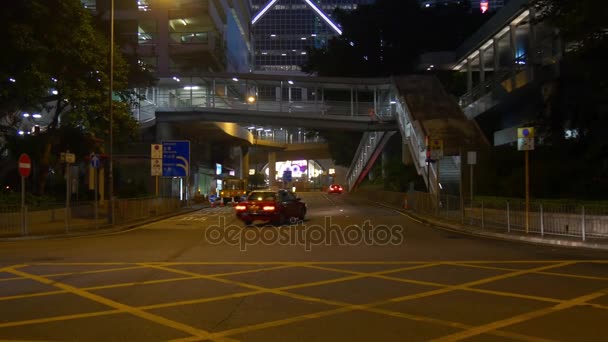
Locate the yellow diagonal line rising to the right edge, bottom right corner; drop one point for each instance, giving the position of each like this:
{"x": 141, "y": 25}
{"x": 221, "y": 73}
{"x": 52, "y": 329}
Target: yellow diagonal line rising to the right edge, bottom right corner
{"x": 518, "y": 319}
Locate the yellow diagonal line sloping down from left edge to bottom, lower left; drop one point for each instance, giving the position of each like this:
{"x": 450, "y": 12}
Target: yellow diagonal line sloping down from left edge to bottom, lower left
{"x": 116, "y": 305}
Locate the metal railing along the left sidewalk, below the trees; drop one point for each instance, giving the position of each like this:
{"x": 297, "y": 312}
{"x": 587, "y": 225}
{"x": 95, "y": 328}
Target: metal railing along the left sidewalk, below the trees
{"x": 80, "y": 216}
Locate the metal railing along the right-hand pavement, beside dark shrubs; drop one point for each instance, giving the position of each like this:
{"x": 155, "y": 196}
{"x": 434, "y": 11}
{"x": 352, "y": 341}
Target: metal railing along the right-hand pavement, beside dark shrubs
{"x": 544, "y": 218}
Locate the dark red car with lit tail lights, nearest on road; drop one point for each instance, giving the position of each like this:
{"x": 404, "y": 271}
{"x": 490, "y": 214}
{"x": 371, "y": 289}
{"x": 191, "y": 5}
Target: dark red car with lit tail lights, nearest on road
{"x": 271, "y": 206}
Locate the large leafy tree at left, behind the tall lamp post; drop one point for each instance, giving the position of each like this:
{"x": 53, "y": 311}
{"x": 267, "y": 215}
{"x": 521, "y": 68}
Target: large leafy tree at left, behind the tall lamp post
{"x": 56, "y": 63}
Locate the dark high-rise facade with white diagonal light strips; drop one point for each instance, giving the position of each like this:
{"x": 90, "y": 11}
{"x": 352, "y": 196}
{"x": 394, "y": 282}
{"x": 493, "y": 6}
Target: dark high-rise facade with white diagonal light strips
{"x": 284, "y": 29}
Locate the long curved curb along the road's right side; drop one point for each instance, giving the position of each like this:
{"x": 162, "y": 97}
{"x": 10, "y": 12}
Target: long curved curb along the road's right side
{"x": 536, "y": 240}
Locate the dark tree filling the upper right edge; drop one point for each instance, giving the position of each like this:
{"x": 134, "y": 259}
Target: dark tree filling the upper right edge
{"x": 575, "y": 117}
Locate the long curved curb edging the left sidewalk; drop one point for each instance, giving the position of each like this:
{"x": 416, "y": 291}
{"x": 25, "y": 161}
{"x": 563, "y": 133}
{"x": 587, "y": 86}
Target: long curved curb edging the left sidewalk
{"x": 102, "y": 231}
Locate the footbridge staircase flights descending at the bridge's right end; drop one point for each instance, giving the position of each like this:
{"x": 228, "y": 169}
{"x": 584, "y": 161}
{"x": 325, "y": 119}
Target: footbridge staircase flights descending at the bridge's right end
{"x": 422, "y": 108}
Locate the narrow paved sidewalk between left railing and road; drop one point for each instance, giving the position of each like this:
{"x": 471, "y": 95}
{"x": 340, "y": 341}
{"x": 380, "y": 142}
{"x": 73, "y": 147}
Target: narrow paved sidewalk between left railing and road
{"x": 80, "y": 227}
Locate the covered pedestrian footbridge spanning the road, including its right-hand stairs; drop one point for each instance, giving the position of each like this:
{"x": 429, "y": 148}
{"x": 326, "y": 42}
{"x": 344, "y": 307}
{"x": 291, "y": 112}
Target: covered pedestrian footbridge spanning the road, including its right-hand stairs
{"x": 414, "y": 106}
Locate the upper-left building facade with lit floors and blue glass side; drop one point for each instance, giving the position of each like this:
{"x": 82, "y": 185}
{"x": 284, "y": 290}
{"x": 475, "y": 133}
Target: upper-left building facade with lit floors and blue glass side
{"x": 180, "y": 36}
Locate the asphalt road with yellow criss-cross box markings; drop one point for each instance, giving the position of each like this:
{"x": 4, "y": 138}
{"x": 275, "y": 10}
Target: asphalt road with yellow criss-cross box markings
{"x": 352, "y": 271}
